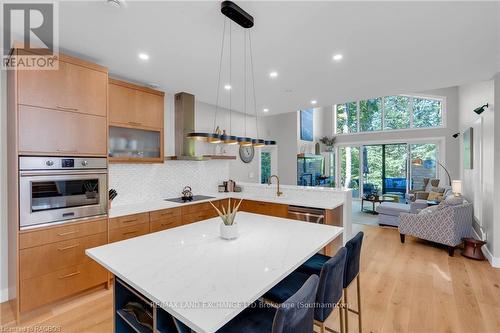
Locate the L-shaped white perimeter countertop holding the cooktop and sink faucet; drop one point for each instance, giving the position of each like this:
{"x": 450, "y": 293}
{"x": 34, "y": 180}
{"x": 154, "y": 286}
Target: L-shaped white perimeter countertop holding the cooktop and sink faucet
{"x": 318, "y": 201}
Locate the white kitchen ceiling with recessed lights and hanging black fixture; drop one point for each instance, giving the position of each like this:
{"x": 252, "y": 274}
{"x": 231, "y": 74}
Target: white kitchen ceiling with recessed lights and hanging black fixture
{"x": 388, "y": 47}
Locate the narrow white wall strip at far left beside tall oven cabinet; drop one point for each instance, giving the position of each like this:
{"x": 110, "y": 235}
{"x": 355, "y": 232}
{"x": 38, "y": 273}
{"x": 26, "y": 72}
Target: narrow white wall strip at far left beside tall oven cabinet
{"x": 3, "y": 189}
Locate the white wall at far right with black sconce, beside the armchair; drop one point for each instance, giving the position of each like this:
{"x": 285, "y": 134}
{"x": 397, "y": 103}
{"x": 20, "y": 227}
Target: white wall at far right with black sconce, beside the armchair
{"x": 472, "y": 96}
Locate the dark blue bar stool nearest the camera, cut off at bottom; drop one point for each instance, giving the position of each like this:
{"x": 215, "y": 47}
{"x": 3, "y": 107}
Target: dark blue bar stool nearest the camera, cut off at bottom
{"x": 296, "y": 314}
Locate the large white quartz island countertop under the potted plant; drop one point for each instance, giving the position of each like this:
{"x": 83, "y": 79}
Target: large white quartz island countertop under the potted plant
{"x": 205, "y": 281}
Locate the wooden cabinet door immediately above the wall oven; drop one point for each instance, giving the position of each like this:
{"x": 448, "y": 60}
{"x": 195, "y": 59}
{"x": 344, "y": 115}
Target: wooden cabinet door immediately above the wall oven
{"x": 61, "y": 133}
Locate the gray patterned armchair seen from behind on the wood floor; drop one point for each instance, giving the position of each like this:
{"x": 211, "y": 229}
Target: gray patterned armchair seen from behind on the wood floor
{"x": 444, "y": 224}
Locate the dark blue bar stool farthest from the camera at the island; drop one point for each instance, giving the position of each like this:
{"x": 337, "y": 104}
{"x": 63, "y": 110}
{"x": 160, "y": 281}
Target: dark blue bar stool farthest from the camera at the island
{"x": 351, "y": 272}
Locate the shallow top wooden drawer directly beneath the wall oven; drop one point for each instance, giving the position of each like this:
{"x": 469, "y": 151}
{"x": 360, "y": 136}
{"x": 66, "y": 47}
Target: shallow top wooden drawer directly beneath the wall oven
{"x": 49, "y": 235}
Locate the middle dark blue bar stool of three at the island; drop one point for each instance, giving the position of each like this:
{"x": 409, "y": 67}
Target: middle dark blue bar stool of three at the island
{"x": 331, "y": 278}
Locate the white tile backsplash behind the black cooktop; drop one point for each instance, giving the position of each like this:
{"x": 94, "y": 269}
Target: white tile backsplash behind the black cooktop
{"x": 145, "y": 182}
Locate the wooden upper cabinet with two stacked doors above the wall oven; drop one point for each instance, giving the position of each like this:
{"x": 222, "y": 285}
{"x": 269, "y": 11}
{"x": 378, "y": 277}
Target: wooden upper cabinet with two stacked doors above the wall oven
{"x": 61, "y": 112}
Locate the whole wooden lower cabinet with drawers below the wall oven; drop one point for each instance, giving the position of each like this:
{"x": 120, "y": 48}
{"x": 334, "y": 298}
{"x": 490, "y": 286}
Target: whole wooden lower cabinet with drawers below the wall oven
{"x": 53, "y": 264}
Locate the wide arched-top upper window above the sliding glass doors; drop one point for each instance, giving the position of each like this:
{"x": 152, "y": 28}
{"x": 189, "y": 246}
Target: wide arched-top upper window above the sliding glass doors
{"x": 389, "y": 113}
